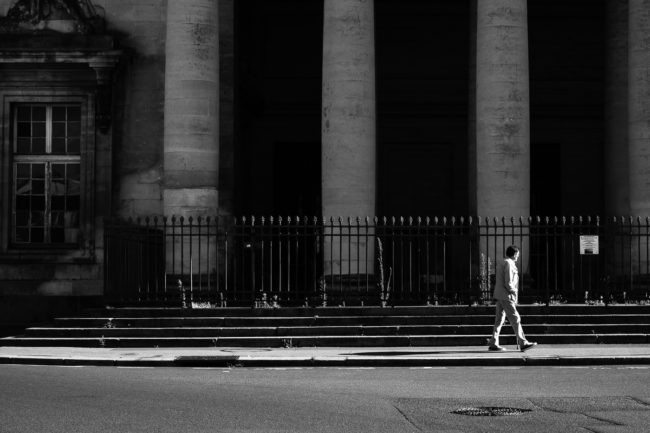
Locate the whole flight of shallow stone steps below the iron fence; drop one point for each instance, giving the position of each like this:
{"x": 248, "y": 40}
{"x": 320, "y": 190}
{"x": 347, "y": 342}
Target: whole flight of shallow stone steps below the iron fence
{"x": 336, "y": 326}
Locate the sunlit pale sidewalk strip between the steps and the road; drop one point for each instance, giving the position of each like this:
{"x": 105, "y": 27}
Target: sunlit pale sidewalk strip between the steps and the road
{"x": 547, "y": 355}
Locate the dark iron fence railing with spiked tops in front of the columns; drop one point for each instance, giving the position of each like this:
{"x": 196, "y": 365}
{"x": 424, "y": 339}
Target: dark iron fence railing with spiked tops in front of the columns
{"x": 380, "y": 261}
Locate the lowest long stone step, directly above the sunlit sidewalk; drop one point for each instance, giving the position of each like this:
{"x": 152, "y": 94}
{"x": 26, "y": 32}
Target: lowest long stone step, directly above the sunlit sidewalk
{"x": 325, "y": 341}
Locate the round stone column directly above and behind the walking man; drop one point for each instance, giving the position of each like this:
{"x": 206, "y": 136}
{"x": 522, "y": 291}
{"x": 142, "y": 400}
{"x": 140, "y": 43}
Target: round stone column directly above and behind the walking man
{"x": 500, "y": 150}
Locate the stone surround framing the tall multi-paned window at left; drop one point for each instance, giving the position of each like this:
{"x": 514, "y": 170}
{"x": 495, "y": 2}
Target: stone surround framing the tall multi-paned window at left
{"x": 84, "y": 248}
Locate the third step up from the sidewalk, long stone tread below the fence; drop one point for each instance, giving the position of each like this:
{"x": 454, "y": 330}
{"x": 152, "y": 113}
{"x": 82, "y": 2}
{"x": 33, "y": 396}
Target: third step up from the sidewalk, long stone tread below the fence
{"x": 154, "y": 322}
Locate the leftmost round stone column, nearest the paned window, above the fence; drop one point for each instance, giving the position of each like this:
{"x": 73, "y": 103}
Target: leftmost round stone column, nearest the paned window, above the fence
{"x": 191, "y": 141}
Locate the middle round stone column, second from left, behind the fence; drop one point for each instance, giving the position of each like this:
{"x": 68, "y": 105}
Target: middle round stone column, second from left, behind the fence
{"x": 348, "y": 127}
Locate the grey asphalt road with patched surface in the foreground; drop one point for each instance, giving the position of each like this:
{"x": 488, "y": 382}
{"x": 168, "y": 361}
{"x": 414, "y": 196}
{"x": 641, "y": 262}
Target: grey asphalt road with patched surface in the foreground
{"x": 109, "y": 399}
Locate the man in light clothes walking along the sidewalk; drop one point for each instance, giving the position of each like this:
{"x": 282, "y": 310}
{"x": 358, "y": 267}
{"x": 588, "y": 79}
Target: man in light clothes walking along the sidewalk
{"x": 506, "y": 291}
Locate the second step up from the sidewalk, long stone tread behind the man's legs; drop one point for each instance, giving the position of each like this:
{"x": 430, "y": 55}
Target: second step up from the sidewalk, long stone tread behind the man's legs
{"x": 284, "y": 331}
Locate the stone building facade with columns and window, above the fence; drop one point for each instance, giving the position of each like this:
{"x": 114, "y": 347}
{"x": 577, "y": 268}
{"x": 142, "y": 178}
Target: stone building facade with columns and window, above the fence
{"x": 306, "y": 107}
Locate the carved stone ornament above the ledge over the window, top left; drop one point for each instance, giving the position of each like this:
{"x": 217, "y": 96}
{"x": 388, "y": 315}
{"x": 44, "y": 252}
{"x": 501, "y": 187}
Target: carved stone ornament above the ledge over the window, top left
{"x": 58, "y": 16}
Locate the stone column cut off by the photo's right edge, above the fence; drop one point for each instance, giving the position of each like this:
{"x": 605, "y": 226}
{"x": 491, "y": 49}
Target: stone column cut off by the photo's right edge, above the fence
{"x": 639, "y": 106}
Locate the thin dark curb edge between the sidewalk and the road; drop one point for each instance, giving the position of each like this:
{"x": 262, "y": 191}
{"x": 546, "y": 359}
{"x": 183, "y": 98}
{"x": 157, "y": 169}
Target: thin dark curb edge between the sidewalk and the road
{"x": 242, "y": 362}
